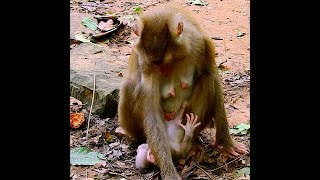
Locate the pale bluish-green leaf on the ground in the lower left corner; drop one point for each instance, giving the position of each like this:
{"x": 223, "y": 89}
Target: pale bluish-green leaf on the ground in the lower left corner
{"x": 83, "y": 156}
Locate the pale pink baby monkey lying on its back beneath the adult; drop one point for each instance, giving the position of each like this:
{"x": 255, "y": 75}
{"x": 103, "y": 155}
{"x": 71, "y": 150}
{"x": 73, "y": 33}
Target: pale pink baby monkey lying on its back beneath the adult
{"x": 179, "y": 137}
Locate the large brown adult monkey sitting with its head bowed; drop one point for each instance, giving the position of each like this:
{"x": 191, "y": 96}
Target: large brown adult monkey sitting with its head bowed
{"x": 172, "y": 62}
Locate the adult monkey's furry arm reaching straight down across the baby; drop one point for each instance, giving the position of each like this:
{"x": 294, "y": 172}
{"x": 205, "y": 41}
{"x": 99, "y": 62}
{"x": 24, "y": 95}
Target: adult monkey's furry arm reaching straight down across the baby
{"x": 155, "y": 129}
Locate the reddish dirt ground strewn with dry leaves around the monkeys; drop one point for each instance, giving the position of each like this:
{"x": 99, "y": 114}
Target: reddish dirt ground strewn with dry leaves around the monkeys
{"x": 228, "y": 23}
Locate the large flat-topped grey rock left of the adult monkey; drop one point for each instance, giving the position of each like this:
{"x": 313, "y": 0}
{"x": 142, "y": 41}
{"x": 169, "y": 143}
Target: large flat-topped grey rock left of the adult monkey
{"x": 84, "y": 59}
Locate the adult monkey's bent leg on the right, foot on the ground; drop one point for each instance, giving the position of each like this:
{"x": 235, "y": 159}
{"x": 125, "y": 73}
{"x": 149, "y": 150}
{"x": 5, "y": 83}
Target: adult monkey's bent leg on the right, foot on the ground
{"x": 207, "y": 102}
